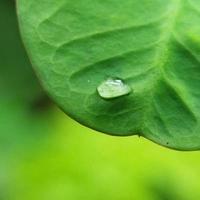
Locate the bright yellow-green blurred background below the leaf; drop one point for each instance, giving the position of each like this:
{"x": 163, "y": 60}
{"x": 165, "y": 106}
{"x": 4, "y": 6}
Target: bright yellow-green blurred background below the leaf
{"x": 76, "y": 163}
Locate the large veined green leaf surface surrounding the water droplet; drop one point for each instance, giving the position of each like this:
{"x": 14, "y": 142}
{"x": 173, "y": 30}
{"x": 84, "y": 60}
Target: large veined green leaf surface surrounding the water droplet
{"x": 152, "y": 45}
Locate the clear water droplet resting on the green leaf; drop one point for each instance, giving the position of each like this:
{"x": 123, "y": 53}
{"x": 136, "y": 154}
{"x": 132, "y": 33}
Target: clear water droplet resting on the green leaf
{"x": 113, "y": 88}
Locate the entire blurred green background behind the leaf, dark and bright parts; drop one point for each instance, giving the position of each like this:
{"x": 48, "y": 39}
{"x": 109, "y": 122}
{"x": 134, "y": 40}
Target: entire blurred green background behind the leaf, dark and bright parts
{"x": 44, "y": 155}
